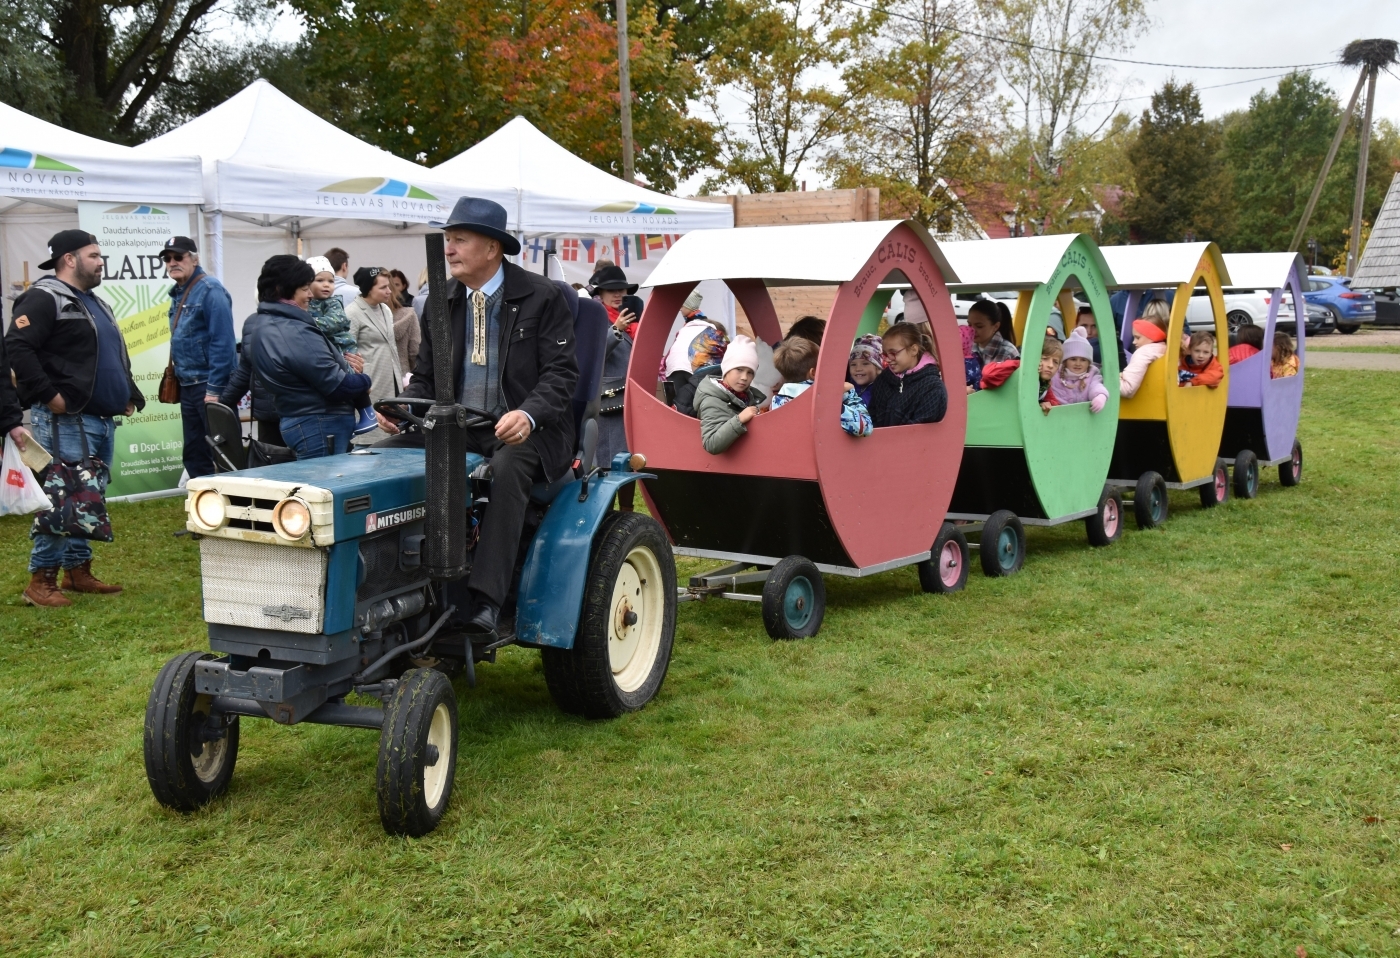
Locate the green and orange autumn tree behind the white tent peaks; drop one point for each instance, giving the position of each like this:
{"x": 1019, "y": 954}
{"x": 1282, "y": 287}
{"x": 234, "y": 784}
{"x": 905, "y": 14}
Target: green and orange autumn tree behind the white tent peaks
{"x": 428, "y": 81}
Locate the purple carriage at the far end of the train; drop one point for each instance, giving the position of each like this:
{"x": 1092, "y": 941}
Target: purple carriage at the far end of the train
{"x": 1262, "y": 418}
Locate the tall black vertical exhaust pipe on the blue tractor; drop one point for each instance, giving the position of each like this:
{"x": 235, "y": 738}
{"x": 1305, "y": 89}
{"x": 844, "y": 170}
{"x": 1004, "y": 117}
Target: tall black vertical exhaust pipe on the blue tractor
{"x": 444, "y": 438}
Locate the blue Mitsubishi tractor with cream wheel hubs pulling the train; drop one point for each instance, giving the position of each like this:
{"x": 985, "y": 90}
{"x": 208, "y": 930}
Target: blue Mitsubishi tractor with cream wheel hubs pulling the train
{"x": 345, "y": 576}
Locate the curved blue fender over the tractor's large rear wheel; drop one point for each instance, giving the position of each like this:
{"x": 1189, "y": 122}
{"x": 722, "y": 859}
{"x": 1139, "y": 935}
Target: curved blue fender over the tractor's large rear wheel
{"x": 551, "y": 596}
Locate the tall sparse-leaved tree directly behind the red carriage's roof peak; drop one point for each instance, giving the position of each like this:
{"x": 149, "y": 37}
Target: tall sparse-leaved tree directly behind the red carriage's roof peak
{"x": 918, "y": 124}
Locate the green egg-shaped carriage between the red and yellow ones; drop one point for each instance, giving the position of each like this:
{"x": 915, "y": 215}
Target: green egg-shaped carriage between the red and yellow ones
{"x": 1023, "y": 466}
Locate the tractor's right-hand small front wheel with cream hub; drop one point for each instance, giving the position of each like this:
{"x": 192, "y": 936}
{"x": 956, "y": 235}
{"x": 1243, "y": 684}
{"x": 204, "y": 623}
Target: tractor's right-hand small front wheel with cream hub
{"x": 418, "y": 754}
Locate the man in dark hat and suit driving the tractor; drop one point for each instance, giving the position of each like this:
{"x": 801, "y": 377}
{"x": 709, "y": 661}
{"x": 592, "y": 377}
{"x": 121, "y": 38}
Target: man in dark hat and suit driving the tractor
{"x": 513, "y": 355}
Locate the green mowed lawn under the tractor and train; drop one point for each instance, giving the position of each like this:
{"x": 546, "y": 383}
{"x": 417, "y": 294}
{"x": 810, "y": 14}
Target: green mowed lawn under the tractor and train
{"x": 1182, "y": 744}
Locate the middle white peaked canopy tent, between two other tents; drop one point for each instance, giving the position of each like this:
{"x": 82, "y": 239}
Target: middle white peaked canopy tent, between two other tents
{"x": 276, "y": 174}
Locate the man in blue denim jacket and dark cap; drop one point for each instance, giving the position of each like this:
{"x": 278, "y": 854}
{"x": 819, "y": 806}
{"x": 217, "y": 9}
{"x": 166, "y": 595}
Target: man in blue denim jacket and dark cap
{"x": 202, "y": 345}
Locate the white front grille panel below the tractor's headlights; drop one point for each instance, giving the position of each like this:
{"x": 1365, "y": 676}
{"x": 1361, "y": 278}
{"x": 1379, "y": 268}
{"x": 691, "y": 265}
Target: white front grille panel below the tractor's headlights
{"x": 264, "y": 586}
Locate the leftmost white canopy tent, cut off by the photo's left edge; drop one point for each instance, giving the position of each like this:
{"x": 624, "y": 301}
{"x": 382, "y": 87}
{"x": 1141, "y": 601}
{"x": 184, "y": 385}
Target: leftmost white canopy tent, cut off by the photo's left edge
{"x": 47, "y": 170}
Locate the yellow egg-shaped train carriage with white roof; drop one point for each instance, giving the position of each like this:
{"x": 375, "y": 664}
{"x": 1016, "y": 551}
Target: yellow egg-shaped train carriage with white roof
{"x": 1170, "y": 435}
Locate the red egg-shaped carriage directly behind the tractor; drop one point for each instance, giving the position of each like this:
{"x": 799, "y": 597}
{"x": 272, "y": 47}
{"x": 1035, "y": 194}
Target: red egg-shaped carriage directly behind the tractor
{"x": 797, "y": 498}
